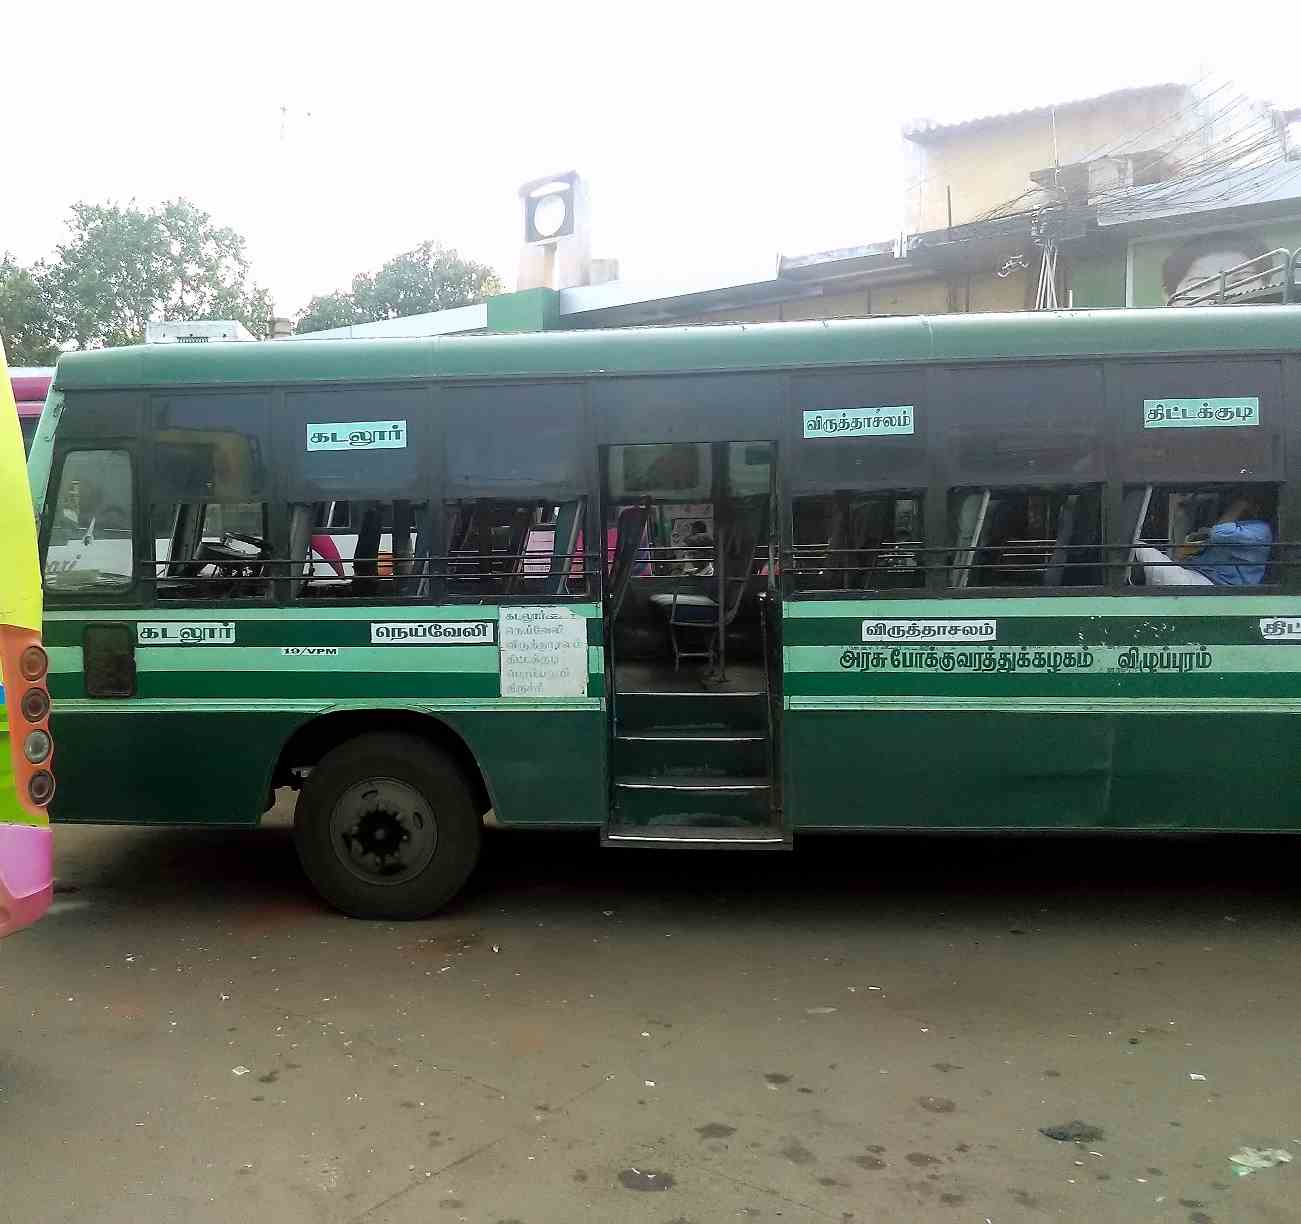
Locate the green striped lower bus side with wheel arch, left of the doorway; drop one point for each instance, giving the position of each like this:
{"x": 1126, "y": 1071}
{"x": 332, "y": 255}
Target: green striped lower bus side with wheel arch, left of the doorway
{"x": 200, "y": 739}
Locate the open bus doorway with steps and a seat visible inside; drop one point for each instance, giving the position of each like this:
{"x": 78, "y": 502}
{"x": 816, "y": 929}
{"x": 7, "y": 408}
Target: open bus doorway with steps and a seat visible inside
{"x": 693, "y": 637}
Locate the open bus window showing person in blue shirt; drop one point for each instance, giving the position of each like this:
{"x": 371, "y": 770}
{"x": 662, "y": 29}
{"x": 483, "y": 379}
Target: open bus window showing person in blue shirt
{"x": 1231, "y": 550}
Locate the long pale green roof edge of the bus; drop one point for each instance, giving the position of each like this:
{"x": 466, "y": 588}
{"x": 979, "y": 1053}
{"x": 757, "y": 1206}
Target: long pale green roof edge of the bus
{"x": 699, "y": 349}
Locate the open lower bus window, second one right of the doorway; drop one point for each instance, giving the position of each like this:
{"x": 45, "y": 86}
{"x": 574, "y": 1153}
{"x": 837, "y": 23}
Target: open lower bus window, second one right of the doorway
{"x": 1026, "y": 538}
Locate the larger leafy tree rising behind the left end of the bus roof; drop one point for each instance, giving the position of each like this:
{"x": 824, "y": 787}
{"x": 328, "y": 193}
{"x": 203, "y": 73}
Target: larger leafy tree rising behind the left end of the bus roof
{"x": 124, "y": 266}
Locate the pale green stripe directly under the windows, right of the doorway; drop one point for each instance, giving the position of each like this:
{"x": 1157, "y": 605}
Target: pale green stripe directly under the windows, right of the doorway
{"x": 1057, "y": 607}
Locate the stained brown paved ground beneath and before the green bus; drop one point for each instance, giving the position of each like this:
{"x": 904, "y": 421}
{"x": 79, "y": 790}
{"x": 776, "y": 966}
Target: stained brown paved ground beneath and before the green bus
{"x": 868, "y": 1031}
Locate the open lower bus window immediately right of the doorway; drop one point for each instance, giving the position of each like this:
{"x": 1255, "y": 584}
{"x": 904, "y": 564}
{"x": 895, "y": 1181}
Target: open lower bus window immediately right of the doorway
{"x": 859, "y": 542}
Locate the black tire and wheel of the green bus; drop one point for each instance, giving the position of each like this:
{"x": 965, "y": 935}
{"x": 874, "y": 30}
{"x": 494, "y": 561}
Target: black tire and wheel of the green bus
{"x": 396, "y": 786}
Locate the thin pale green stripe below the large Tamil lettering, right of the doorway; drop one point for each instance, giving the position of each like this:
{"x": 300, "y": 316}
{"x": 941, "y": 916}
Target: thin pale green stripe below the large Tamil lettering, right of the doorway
{"x": 1056, "y": 706}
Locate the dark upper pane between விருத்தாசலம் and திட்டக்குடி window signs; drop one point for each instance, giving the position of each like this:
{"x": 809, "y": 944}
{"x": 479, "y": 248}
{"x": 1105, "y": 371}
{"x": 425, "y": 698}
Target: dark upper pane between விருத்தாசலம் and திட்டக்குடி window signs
{"x": 1025, "y": 423}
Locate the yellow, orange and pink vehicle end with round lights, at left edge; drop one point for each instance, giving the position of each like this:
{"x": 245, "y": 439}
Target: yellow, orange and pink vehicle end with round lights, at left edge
{"x": 27, "y": 782}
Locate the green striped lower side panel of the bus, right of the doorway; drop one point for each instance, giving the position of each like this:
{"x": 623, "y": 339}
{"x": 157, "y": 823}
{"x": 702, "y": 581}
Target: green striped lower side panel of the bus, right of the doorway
{"x": 1148, "y": 712}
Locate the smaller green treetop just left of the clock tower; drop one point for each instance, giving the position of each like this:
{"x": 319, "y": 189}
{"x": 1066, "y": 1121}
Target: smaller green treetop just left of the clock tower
{"x": 430, "y": 278}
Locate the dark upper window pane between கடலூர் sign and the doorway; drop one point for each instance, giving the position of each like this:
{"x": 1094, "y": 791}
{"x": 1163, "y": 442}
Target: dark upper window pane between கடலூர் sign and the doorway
{"x": 515, "y": 438}
